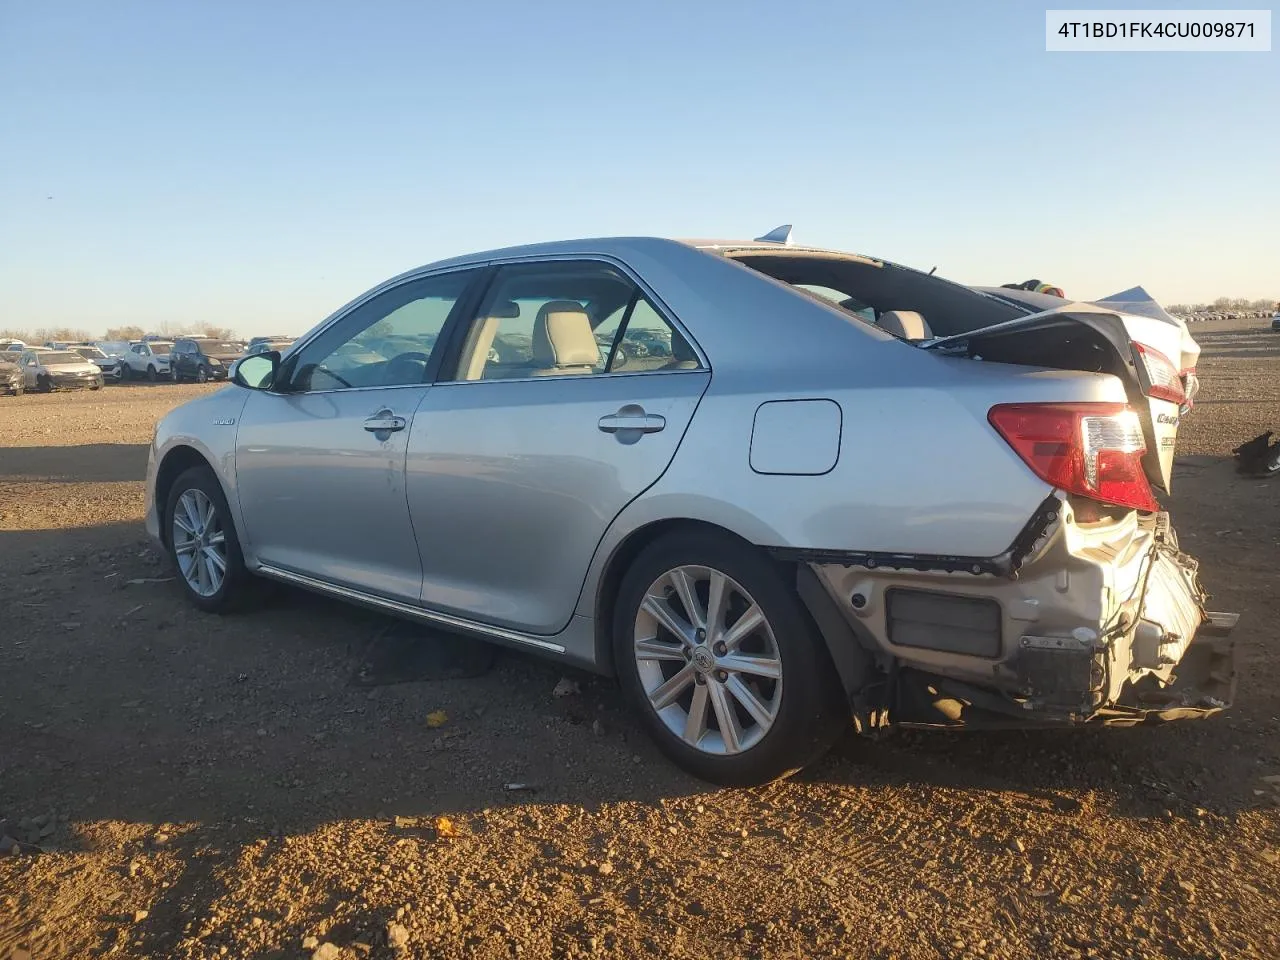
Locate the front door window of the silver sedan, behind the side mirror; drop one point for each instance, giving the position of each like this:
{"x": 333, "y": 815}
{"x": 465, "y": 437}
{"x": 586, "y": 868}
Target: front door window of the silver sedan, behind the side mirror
{"x": 385, "y": 342}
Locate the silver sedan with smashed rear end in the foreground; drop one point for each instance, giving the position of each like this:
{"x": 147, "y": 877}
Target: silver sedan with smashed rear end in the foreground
{"x": 927, "y": 508}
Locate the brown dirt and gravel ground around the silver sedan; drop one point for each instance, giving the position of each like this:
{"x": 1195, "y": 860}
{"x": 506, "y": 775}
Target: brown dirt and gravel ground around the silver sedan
{"x": 196, "y": 787}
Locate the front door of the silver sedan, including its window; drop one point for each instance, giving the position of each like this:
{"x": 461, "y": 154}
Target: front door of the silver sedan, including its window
{"x": 321, "y": 456}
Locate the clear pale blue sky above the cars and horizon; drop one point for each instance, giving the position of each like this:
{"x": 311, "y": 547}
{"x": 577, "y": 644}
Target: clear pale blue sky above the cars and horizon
{"x": 258, "y": 164}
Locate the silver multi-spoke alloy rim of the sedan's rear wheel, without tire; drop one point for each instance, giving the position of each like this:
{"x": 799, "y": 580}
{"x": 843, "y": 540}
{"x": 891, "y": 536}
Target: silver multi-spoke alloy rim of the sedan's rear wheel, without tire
{"x": 708, "y": 660}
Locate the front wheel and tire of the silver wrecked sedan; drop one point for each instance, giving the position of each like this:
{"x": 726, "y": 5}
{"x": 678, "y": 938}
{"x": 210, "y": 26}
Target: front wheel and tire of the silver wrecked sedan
{"x": 236, "y": 588}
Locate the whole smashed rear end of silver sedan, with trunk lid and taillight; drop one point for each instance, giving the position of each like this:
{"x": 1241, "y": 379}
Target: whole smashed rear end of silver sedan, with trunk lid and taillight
{"x": 1094, "y": 615}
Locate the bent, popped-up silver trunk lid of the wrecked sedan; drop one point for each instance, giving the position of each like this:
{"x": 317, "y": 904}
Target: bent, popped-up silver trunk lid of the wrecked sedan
{"x": 1094, "y": 340}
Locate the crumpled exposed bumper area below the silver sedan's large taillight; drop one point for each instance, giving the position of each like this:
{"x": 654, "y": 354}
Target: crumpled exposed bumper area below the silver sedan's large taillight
{"x": 1098, "y": 624}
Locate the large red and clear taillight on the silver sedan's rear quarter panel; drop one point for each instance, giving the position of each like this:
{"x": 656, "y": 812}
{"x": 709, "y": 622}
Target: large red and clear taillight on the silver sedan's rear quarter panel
{"x": 1092, "y": 450}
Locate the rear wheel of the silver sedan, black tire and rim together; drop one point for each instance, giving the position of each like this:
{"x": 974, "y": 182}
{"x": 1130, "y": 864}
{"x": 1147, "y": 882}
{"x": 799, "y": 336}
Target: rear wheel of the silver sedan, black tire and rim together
{"x": 804, "y": 706}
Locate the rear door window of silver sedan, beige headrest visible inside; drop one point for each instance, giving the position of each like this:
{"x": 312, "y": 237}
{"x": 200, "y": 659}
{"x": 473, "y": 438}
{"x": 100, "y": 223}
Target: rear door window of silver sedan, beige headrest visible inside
{"x": 555, "y": 319}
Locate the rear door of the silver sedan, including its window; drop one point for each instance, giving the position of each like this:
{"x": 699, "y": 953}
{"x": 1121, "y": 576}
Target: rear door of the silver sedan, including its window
{"x": 541, "y": 429}
